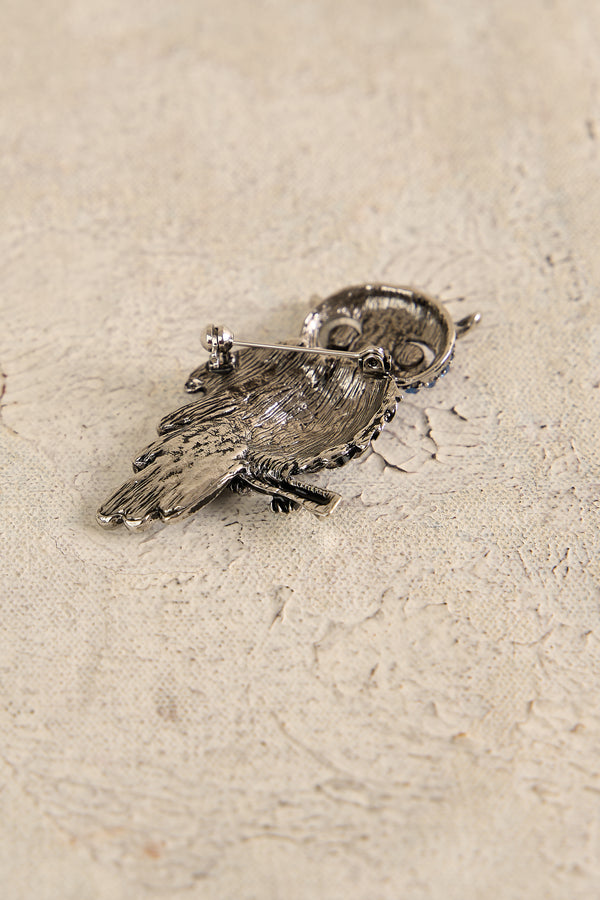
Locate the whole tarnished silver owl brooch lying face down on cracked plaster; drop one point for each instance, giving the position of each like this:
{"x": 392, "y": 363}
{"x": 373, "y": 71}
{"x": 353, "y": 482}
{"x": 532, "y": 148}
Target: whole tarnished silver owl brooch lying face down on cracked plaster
{"x": 270, "y": 413}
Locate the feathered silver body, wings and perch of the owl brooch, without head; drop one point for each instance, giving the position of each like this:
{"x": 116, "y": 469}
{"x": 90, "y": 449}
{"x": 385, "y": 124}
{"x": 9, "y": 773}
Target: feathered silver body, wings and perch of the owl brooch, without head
{"x": 273, "y": 417}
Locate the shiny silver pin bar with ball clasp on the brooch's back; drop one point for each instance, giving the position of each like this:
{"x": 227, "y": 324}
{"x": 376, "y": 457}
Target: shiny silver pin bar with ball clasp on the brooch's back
{"x": 219, "y": 342}
